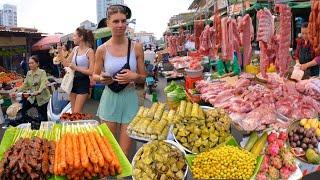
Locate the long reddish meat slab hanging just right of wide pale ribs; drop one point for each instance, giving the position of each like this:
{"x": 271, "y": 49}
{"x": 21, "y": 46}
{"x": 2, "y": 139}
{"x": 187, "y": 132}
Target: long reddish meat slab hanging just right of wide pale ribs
{"x": 284, "y": 57}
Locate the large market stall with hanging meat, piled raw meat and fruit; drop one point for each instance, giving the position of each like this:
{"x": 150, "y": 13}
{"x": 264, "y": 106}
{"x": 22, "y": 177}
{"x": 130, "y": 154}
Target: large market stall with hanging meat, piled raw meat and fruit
{"x": 258, "y": 96}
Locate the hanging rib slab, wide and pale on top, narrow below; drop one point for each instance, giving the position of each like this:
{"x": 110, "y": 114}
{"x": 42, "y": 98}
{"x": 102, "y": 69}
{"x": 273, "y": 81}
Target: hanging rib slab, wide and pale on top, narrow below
{"x": 264, "y": 35}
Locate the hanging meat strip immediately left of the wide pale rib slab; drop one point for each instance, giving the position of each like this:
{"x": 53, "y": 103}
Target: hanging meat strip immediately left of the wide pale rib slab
{"x": 246, "y": 36}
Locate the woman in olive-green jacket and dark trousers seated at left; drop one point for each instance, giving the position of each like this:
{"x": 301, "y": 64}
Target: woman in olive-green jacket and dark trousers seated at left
{"x": 36, "y": 83}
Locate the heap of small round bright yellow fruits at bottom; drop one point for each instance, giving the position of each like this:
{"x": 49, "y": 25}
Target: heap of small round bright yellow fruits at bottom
{"x": 224, "y": 162}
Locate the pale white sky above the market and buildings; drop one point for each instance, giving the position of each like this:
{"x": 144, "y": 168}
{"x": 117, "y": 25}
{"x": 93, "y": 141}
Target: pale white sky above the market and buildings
{"x": 51, "y": 16}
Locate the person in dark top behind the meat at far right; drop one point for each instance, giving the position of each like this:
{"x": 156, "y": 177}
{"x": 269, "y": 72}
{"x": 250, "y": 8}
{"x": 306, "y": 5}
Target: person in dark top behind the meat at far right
{"x": 304, "y": 53}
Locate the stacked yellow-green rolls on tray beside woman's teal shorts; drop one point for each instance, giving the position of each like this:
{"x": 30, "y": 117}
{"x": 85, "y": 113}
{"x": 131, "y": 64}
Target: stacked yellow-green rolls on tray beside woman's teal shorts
{"x": 153, "y": 123}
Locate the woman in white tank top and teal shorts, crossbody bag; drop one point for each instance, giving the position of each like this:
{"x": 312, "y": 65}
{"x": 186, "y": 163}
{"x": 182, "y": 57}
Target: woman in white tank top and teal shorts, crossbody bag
{"x": 119, "y": 108}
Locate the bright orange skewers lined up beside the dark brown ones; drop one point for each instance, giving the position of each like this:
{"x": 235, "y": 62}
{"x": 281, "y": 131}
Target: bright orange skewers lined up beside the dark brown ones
{"x": 84, "y": 152}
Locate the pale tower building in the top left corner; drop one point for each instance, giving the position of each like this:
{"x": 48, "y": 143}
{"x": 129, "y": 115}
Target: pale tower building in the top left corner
{"x": 8, "y": 15}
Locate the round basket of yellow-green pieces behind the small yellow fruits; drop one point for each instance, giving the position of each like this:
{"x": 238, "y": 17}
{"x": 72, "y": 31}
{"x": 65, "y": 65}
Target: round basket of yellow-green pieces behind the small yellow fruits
{"x": 202, "y": 130}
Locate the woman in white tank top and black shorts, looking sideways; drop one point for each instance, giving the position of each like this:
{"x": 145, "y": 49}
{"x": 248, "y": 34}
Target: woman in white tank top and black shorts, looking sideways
{"x": 81, "y": 60}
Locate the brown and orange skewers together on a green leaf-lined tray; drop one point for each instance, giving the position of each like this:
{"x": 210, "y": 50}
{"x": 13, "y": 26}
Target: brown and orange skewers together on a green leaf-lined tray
{"x": 71, "y": 150}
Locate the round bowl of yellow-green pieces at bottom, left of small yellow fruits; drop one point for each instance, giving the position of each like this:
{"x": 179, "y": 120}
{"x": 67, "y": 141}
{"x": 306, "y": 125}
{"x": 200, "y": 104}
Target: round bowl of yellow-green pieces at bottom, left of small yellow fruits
{"x": 159, "y": 160}
